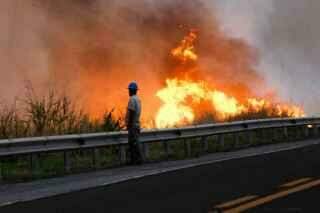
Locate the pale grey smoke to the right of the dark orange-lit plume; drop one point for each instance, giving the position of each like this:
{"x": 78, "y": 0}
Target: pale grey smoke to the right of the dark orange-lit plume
{"x": 286, "y": 35}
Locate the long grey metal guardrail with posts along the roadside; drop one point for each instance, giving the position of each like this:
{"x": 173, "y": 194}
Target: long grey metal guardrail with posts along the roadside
{"x": 35, "y": 145}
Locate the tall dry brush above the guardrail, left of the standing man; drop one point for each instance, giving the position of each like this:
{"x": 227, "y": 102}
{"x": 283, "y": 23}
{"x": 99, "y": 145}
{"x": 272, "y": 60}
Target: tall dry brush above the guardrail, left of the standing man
{"x": 51, "y": 114}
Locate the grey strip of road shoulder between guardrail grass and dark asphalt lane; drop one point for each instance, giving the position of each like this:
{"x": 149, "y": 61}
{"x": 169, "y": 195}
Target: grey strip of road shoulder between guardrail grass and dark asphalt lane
{"x": 22, "y": 192}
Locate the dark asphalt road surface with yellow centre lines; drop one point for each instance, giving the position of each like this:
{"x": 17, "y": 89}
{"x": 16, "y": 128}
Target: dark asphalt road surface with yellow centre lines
{"x": 287, "y": 181}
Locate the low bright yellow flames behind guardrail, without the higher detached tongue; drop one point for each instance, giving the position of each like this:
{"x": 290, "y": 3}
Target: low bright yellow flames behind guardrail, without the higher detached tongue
{"x": 179, "y": 97}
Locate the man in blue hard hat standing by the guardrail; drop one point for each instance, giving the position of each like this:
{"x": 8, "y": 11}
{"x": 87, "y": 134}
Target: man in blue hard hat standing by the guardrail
{"x": 133, "y": 124}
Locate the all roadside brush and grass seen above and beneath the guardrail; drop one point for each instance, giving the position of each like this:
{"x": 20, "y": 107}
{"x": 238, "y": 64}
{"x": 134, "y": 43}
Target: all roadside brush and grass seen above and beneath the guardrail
{"x": 54, "y": 114}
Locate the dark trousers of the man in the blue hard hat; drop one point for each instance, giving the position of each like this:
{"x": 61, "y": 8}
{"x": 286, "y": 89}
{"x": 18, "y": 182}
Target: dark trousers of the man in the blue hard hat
{"x": 134, "y": 146}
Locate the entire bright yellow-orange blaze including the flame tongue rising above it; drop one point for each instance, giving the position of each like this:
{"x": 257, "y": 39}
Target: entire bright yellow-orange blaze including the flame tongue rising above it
{"x": 184, "y": 98}
